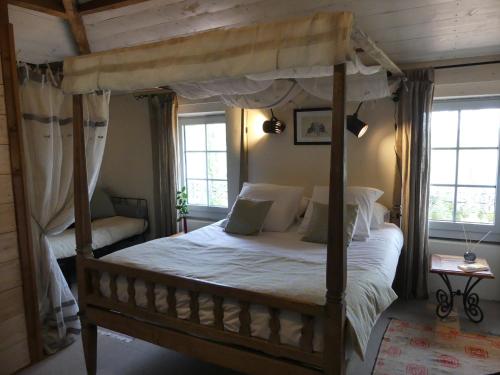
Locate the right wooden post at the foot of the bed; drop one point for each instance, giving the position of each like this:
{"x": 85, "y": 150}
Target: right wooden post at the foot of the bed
{"x": 336, "y": 262}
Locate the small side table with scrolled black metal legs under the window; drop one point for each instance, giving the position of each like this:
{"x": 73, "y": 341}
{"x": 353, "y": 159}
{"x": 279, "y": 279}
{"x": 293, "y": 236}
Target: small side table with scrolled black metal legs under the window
{"x": 445, "y": 265}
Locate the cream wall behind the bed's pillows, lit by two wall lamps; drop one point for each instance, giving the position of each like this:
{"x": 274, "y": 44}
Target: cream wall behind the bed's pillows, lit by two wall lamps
{"x": 370, "y": 162}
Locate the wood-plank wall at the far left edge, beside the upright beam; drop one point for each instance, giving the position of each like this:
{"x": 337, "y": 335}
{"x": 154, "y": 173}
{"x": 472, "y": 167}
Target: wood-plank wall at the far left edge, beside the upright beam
{"x": 14, "y": 349}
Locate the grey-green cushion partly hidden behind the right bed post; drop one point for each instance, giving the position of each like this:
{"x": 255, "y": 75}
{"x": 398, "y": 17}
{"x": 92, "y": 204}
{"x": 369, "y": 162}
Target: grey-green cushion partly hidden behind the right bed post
{"x": 317, "y": 230}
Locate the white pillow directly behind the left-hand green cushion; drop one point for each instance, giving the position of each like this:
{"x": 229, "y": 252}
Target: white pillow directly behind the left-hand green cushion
{"x": 285, "y": 207}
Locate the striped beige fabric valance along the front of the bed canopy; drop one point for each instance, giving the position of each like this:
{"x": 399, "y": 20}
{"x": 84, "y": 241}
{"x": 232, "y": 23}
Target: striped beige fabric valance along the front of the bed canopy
{"x": 285, "y": 47}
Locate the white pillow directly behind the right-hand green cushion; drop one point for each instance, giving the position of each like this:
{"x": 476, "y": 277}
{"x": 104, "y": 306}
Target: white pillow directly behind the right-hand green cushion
{"x": 364, "y": 197}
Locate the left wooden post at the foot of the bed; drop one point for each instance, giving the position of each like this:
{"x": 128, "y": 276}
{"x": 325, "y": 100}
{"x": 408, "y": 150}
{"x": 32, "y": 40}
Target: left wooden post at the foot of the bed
{"x": 83, "y": 232}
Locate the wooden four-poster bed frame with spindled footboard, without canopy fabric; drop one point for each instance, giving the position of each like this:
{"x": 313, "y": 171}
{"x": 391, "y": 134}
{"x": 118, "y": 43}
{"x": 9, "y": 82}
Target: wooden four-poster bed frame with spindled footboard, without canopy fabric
{"x": 236, "y": 350}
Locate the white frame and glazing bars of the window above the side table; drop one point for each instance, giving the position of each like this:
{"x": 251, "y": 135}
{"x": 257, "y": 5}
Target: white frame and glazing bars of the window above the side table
{"x": 454, "y": 230}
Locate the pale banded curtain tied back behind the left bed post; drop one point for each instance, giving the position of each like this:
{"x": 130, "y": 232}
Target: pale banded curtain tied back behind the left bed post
{"x": 47, "y": 129}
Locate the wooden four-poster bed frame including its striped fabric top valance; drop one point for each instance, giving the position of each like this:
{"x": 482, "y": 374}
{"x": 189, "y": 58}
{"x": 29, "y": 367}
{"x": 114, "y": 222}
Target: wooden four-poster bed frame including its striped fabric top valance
{"x": 287, "y": 47}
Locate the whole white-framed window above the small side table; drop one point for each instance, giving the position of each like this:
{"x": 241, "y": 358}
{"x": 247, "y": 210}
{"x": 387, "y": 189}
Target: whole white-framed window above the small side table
{"x": 464, "y": 168}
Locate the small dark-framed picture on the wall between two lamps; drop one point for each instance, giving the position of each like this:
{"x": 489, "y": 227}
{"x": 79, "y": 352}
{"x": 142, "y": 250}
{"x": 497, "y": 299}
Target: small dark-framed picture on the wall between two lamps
{"x": 312, "y": 126}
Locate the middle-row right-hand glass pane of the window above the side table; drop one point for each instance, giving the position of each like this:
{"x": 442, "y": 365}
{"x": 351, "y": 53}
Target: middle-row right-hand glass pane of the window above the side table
{"x": 477, "y": 167}
